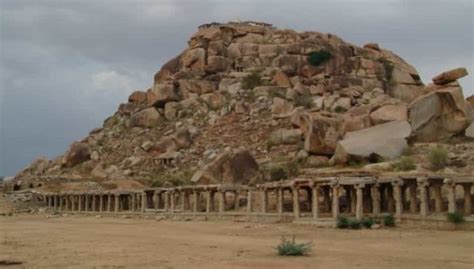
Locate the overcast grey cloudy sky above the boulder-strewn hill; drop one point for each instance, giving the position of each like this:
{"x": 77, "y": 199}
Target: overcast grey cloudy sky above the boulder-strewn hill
{"x": 66, "y": 65}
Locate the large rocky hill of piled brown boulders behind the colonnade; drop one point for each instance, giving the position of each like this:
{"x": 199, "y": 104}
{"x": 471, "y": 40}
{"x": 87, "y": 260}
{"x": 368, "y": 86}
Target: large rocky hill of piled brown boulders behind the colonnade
{"x": 247, "y": 101}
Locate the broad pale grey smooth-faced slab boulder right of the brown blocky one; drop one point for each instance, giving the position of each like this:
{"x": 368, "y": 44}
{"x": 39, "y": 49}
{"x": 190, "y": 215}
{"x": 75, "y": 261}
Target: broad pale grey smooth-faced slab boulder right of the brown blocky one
{"x": 386, "y": 140}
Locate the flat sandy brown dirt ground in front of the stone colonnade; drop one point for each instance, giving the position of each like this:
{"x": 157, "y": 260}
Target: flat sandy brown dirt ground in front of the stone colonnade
{"x": 90, "y": 242}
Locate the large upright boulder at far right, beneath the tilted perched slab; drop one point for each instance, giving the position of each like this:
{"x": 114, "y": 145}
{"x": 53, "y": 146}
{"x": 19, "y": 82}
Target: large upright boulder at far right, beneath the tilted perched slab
{"x": 438, "y": 115}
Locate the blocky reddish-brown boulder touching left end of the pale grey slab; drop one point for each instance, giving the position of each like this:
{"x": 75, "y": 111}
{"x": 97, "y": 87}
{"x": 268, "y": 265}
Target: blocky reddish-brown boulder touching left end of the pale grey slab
{"x": 324, "y": 132}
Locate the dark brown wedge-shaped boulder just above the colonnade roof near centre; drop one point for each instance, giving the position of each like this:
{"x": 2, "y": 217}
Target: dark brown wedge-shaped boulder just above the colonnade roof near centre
{"x": 230, "y": 167}
